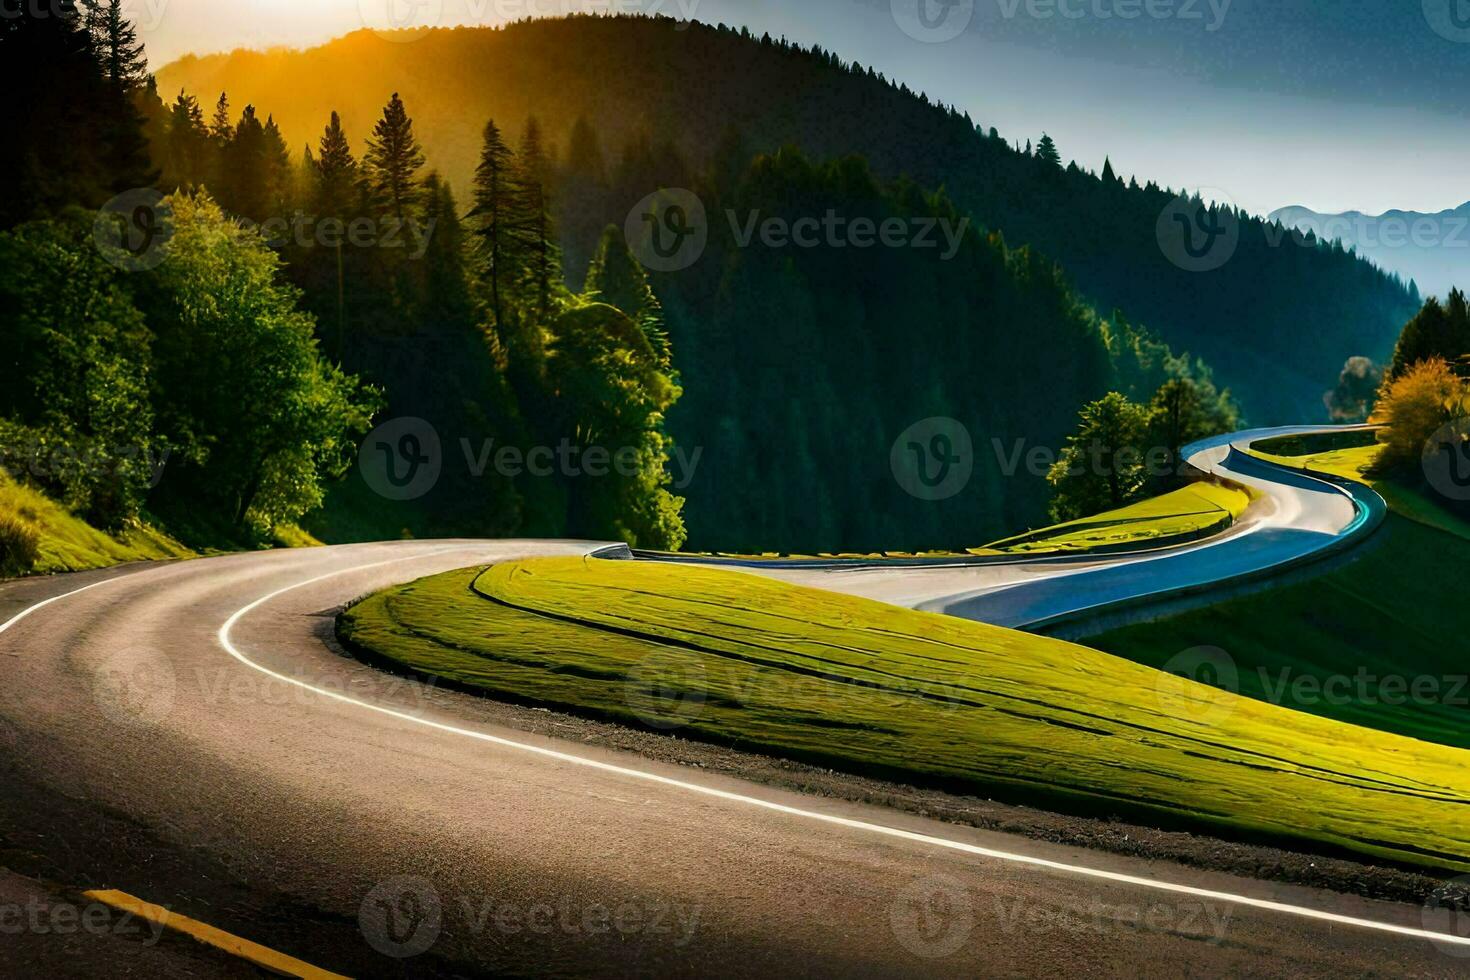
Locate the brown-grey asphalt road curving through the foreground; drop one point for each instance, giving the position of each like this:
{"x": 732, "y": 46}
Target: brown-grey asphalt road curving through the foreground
{"x": 187, "y": 734}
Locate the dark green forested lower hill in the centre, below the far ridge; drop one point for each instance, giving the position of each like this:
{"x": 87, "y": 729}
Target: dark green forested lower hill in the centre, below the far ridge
{"x": 800, "y": 367}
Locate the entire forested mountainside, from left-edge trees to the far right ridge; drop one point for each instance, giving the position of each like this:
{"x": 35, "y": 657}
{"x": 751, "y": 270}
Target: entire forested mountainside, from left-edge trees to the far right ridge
{"x": 477, "y": 280}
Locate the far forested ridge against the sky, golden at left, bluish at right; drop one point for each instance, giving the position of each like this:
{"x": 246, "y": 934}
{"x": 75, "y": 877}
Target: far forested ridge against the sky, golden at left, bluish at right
{"x": 1278, "y": 320}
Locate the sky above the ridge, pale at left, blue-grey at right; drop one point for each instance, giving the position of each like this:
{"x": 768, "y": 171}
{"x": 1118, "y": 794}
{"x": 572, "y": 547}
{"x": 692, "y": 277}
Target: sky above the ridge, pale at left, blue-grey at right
{"x": 1334, "y": 105}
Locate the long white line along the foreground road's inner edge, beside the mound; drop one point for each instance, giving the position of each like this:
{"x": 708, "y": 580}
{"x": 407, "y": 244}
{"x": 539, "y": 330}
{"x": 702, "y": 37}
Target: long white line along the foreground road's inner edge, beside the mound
{"x": 796, "y": 812}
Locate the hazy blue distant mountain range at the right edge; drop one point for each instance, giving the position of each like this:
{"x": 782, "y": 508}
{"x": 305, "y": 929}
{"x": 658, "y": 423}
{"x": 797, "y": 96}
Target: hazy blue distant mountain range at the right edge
{"x": 1434, "y": 251}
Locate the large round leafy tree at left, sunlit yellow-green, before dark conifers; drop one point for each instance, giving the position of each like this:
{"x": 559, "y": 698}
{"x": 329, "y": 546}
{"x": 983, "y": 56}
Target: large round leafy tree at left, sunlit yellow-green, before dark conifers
{"x": 259, "y": 419}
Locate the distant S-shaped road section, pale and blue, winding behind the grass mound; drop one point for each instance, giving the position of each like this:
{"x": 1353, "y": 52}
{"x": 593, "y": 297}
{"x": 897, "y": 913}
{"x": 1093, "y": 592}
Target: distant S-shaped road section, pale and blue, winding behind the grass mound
{"x": 1299, "y": 518}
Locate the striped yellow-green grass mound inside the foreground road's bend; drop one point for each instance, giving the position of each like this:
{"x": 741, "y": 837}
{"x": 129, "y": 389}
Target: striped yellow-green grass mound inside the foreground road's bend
{"x": 880, "y": 690}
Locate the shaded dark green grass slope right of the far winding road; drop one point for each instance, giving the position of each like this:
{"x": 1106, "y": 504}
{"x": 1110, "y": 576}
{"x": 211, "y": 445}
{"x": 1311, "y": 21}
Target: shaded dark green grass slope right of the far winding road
{"x": 1355, "y": 643}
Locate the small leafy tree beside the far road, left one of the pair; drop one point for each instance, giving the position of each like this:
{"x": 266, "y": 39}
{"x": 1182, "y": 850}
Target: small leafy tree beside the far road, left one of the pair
{"x": 1102, "y": 468}
